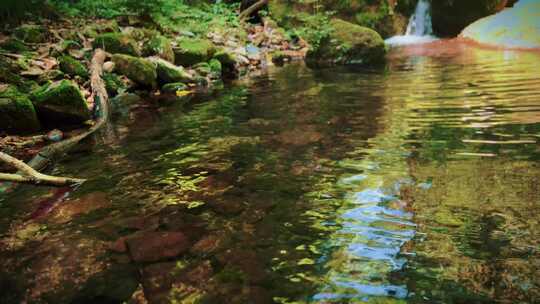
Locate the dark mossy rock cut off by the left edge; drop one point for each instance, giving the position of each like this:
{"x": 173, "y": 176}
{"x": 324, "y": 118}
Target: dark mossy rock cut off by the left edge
{"x": 17, "y": 113}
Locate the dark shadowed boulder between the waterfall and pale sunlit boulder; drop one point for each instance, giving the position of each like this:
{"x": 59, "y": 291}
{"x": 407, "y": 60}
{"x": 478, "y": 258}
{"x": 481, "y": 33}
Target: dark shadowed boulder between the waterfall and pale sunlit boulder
{"x": 451, "y": 17}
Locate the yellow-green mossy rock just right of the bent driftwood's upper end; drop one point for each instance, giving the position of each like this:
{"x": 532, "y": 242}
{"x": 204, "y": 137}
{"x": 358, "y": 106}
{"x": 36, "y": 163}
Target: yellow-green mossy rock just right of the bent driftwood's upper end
{"x": 141, "y": 71}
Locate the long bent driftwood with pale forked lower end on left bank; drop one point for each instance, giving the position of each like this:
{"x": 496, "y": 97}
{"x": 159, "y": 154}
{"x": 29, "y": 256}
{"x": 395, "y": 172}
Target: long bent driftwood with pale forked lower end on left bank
{"x": 28, "y": 173}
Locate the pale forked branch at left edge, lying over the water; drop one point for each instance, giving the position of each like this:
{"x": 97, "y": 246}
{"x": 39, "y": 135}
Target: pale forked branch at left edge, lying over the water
{"x": 30, "y": 176}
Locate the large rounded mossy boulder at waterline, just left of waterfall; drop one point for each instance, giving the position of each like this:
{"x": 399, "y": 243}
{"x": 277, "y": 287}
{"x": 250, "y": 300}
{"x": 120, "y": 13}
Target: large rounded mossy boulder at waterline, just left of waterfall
{"x": 348, "y": 43}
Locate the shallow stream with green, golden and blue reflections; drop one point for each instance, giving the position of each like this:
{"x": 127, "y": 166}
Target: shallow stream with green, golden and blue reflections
{"x": 417, "y": 182}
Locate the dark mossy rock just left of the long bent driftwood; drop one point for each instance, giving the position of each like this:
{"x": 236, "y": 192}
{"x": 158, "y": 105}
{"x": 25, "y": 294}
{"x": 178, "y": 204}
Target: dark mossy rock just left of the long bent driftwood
{"x": 60, "y": 103}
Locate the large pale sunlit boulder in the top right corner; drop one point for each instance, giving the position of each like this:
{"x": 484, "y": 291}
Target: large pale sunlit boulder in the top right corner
{"x": 517, "y": 27}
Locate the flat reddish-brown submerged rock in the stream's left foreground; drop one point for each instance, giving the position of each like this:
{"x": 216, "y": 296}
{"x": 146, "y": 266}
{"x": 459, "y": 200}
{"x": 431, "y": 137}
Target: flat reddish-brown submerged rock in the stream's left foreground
{"x": 155, "y": 246}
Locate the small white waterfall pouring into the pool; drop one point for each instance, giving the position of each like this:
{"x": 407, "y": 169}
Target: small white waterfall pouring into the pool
{"x": 419, "y": 29}
